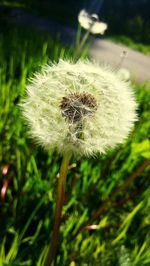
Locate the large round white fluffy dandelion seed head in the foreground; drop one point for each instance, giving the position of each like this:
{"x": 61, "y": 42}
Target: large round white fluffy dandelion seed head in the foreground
{"x": 82, "y": 107}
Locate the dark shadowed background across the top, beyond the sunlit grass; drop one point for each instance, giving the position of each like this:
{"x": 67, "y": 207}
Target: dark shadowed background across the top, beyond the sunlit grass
{"x": 128, "y": 17}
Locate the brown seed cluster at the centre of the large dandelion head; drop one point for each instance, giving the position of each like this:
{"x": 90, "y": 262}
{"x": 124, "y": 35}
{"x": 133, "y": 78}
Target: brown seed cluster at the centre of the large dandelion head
{"x": 77, "y": 105}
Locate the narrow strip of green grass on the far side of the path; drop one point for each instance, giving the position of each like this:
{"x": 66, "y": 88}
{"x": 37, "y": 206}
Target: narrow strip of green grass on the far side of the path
{"x": 143, "y": 48}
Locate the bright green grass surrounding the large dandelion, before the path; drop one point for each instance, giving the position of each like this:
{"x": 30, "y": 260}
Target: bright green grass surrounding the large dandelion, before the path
{"x": 111, "y": 191}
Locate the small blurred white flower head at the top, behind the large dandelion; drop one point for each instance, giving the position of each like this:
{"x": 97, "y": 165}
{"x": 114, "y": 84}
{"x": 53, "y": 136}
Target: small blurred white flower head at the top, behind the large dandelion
{"x": 91, "y": 23}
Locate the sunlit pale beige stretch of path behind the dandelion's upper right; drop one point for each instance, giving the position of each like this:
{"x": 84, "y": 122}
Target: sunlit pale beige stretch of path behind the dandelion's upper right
{"x": 136, "y": 62}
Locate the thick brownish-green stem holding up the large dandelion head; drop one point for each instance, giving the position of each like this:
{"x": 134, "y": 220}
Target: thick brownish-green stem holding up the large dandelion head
{"x": 59, "y": 206}
